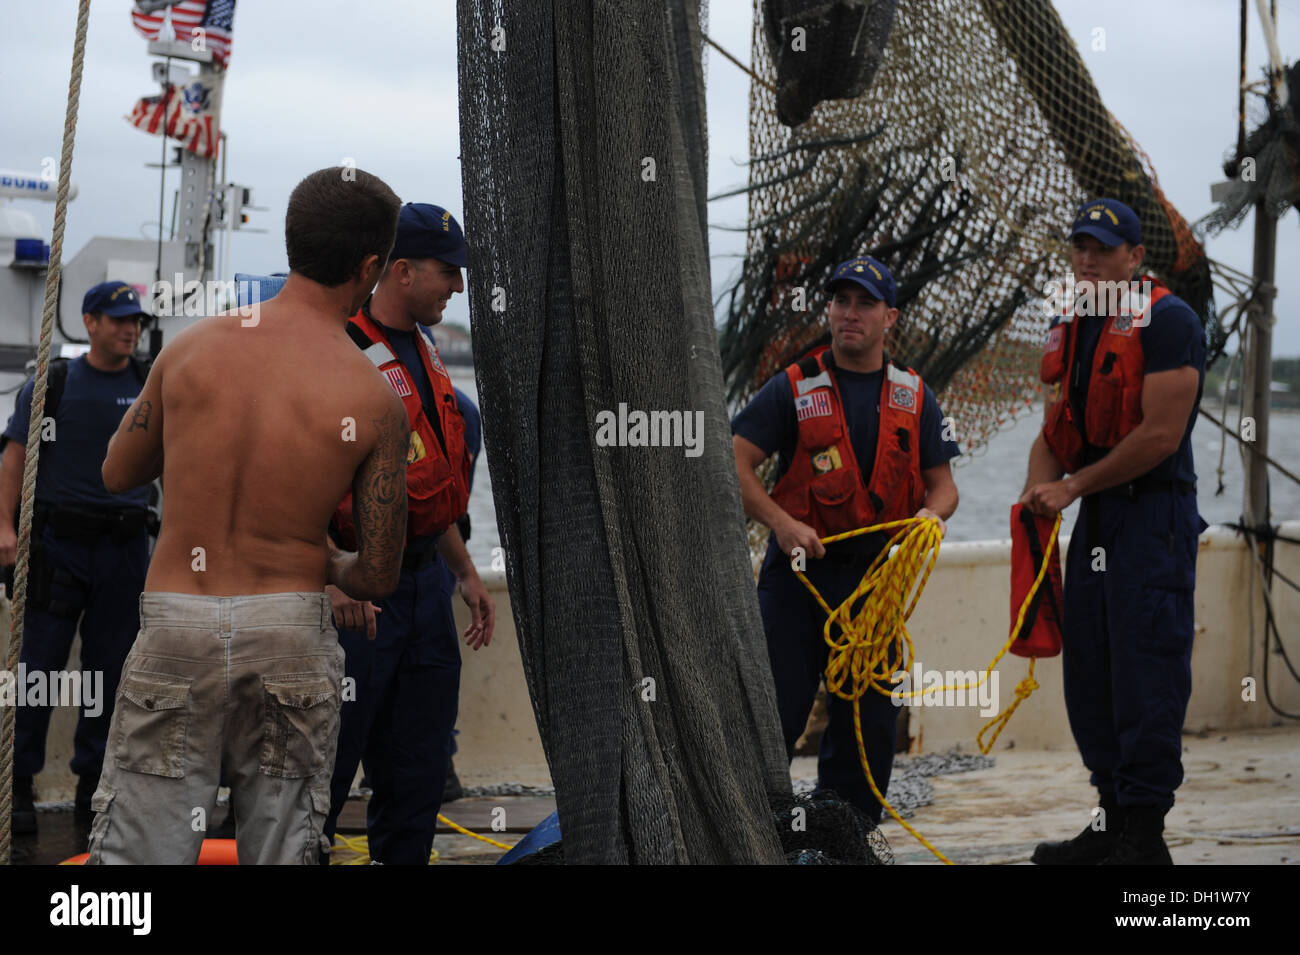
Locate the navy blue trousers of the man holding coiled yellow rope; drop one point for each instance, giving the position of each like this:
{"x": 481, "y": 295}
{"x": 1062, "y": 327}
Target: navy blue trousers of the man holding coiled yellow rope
{"x": 794, "y": 624}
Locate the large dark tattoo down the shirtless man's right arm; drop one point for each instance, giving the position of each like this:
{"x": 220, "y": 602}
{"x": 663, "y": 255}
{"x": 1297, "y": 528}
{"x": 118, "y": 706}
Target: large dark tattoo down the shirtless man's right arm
{"x": 380, "y": 500}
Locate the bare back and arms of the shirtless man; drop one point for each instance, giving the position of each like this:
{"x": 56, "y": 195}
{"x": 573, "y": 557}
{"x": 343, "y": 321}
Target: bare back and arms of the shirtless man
{"x": 263, "y": 429}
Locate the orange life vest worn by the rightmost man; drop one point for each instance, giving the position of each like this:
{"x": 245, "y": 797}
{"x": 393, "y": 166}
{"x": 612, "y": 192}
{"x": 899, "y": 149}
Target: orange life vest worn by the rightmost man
{"x": 1115, "y": 384}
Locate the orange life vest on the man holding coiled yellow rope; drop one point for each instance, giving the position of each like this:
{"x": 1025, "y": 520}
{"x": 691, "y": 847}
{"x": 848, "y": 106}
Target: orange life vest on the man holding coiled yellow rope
{"x": 824, "y": 487}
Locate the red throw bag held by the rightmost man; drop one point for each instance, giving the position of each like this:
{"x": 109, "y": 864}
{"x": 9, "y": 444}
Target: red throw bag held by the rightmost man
{"x": 1041, "y": 633}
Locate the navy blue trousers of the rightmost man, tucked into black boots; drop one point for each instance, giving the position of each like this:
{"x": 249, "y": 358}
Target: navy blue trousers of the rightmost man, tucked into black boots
{"x": 1128, "y": 640}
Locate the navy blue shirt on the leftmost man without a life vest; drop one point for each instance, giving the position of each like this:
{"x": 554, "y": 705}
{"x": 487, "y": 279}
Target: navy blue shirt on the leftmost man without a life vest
{"x": 89, "y": 414}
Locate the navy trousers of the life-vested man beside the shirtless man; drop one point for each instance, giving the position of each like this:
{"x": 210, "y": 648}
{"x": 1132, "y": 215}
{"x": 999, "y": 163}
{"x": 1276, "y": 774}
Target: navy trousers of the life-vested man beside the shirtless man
{"x": 408, "y": 687}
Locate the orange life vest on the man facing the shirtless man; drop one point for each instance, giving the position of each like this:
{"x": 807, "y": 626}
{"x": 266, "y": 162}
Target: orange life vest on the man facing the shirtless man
{"x": 437, "y": 462}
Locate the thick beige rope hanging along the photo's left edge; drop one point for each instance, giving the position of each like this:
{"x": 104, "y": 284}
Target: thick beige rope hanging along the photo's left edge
{"x": 38, "y": 410}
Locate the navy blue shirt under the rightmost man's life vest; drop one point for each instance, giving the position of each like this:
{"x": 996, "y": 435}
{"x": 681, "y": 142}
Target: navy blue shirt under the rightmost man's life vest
{"x": 1173, "y": 338}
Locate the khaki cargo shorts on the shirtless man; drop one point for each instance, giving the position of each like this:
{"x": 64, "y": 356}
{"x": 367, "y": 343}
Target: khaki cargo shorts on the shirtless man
{"x": 250, "y": 685}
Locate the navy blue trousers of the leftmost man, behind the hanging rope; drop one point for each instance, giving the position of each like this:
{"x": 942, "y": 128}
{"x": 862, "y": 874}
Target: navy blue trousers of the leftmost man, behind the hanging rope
{"x": 101, "y": 579}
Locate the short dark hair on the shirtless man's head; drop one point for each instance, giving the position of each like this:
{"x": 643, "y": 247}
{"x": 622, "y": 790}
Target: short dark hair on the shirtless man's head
{"x": 336, "y": 219}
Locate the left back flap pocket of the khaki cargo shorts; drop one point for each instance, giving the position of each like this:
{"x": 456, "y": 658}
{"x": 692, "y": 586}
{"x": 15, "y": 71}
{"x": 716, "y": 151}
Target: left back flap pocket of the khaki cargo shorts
{"x": 151, "y": 723}
